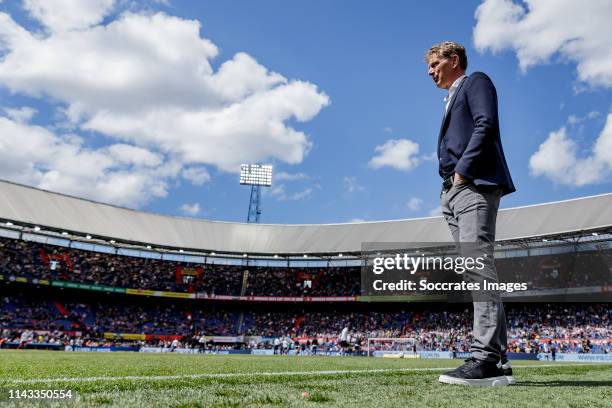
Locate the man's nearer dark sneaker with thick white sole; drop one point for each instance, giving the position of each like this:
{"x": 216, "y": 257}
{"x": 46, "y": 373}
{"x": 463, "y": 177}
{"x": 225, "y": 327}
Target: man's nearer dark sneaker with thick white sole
{"x": 476, "y": 373}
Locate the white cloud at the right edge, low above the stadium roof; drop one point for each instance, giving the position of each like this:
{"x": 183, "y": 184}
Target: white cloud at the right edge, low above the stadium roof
{"x": 557, "y": 158}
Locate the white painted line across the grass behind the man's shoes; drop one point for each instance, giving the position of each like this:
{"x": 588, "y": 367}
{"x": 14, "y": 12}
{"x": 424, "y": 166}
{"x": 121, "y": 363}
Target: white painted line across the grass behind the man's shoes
{"x": 260, "y": 373}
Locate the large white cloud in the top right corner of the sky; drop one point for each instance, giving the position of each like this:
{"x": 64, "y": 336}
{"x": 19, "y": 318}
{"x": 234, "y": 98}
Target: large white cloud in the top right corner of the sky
{"x": 578, "y": 31}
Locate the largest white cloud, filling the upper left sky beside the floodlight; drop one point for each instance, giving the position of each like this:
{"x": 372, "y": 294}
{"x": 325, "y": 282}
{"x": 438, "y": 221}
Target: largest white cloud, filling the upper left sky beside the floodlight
{"x": 146, "y": 81}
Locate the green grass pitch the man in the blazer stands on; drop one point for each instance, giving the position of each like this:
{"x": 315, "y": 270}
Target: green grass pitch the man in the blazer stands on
{"x": 173, "y": 380}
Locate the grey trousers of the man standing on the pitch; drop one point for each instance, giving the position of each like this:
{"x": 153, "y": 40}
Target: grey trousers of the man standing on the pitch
{"x": 471, "y": 215}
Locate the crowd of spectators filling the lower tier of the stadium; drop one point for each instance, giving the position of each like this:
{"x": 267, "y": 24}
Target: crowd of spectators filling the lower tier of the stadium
{"x": 566, "y": 327}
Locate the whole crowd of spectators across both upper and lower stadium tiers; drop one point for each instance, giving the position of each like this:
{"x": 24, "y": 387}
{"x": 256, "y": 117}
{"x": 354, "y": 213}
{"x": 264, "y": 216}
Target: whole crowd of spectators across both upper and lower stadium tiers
{"x": 531, "y": 328}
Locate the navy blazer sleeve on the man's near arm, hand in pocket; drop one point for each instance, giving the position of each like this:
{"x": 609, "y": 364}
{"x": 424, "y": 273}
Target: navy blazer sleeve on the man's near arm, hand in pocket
{"x": 482, "y": 101}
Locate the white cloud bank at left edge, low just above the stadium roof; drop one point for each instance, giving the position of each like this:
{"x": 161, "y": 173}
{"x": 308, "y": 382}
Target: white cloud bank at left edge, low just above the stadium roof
{"x": 118, "y": 174}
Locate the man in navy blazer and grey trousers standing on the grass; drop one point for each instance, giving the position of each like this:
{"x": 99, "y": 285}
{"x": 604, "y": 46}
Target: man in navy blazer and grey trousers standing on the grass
{"x": 475, "y": 176}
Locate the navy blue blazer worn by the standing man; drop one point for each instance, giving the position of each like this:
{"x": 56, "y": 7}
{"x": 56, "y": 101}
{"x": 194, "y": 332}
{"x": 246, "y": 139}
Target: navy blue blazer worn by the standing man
{"x": 469, "y": 142}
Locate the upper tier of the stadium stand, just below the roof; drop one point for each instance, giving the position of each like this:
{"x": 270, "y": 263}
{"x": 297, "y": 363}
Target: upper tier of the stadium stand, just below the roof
{"x": 41, "y": 261}
